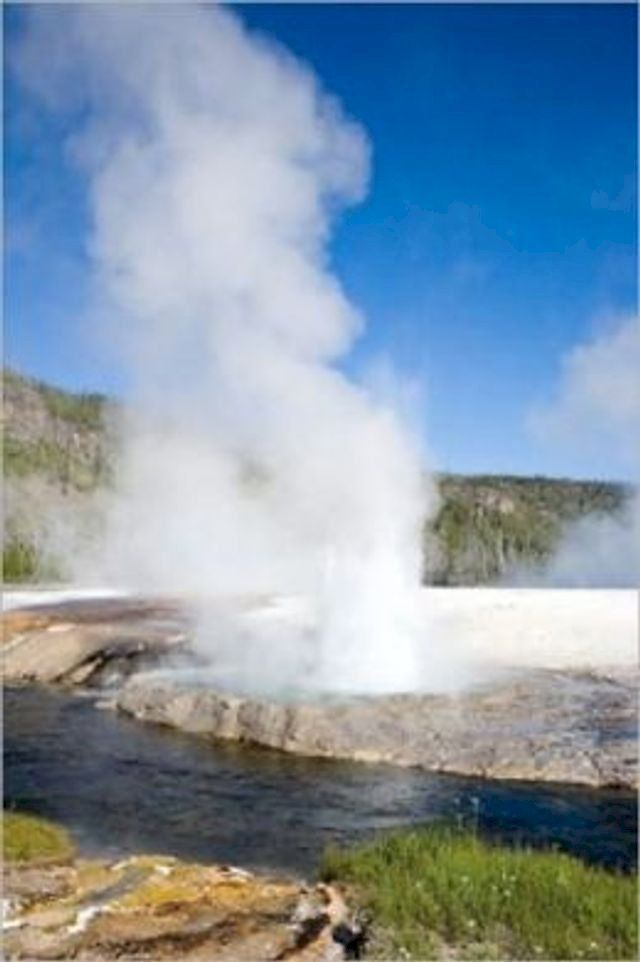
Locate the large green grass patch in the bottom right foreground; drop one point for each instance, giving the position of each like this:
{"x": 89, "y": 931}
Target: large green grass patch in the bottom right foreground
{"x": 444, "y": 893}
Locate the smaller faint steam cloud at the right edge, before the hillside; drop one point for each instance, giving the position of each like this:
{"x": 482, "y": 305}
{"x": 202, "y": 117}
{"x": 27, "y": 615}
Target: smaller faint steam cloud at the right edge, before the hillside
{"x": 598, "y": 404}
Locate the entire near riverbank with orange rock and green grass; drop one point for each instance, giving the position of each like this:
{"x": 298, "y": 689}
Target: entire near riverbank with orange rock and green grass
{"x": 439, "y": 893}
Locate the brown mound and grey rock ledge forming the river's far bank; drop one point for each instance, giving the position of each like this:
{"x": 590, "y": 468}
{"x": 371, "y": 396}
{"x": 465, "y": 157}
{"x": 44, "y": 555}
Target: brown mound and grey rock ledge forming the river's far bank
{"x": 541, "y": 724}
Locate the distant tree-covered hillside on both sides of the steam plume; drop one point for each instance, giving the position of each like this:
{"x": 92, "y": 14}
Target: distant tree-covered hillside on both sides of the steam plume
{"x": 60, "y": 451}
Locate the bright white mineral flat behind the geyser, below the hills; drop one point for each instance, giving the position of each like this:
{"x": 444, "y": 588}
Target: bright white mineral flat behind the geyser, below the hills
{"x": 517, "y": 627}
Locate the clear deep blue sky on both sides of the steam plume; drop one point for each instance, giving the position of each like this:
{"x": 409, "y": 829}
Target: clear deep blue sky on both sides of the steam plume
{"x": 499, "y": 229}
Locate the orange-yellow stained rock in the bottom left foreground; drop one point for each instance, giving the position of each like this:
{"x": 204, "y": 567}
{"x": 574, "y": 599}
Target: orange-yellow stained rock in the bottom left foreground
{"x": 148, "y": 907}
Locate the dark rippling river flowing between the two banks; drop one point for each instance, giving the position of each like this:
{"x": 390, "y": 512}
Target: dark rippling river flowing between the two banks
{"x": 121, "y": 786}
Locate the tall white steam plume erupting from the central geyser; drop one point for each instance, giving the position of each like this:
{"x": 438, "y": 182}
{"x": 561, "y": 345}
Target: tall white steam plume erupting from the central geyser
{"x": 252, "y": 466}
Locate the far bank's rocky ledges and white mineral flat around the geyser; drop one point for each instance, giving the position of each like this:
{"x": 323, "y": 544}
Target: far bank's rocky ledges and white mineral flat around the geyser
{"x": 537, "y": 721}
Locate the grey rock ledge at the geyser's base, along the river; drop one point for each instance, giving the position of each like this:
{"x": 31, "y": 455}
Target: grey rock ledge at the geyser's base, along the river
{"x": 573, "y": 727}
